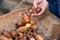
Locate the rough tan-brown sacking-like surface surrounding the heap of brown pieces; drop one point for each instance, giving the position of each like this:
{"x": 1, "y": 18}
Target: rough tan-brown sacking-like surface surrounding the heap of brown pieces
{"x": 47, "y": 23}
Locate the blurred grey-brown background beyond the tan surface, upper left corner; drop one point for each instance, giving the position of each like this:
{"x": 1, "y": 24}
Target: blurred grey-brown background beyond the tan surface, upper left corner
{"x": 7, "y": 6}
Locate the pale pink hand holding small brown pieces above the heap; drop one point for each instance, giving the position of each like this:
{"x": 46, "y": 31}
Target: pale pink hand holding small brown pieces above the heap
{"x": 40, "y": 3}
